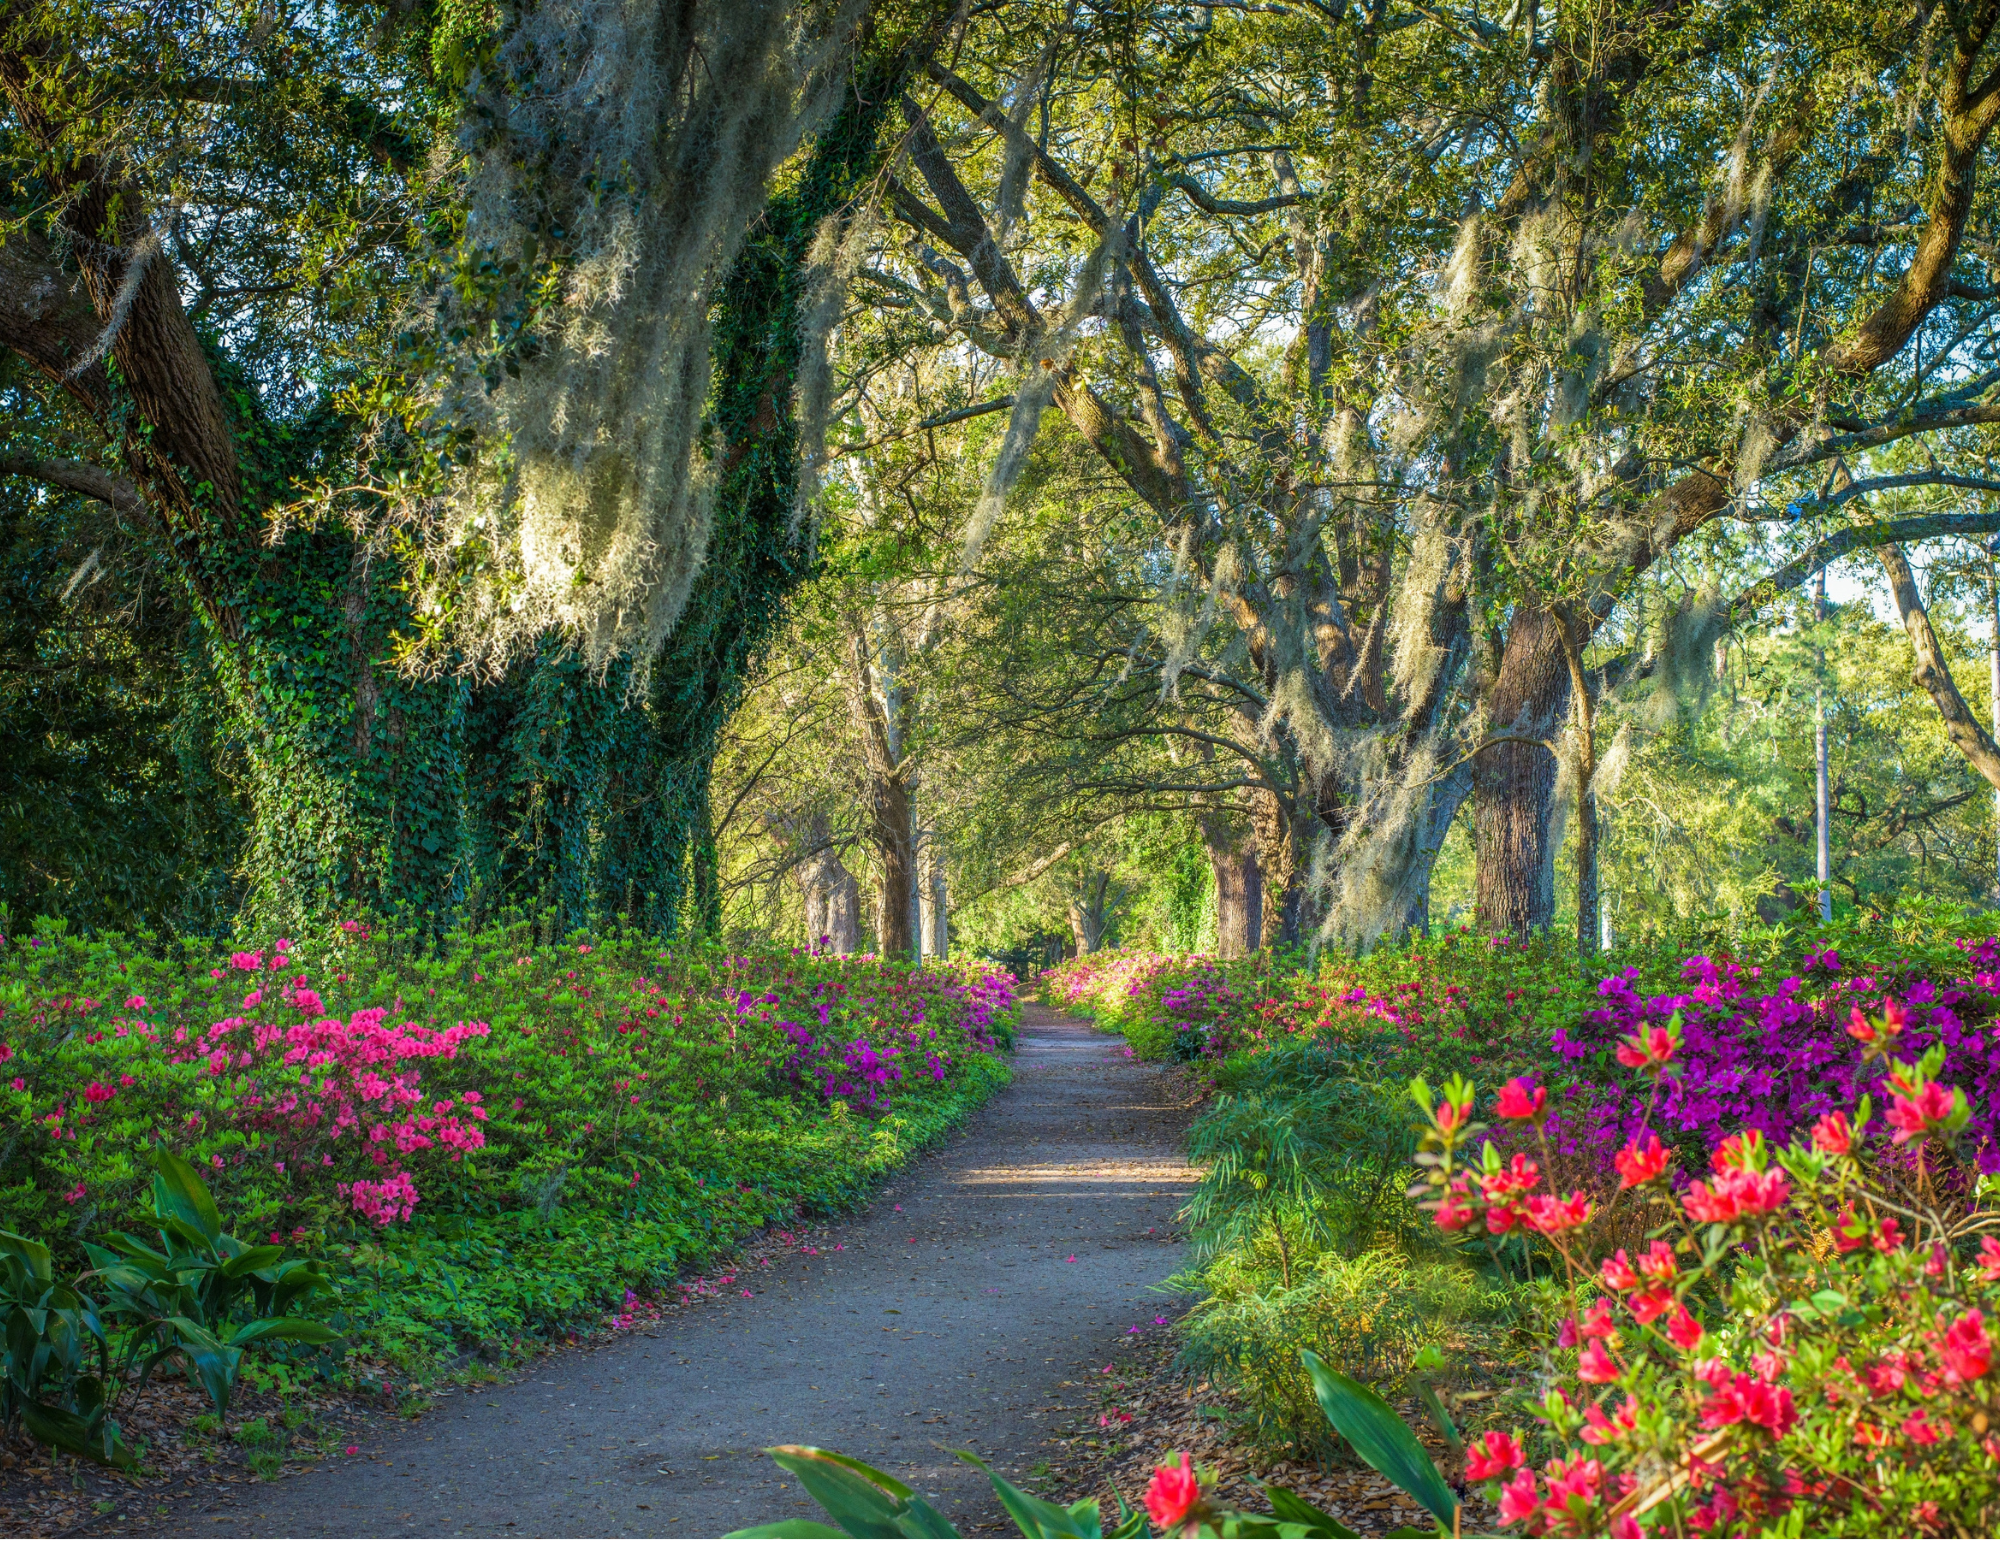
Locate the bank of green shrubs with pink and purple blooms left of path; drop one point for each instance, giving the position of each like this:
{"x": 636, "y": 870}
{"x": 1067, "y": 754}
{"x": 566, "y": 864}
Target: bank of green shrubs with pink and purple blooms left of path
{"x": 349, "y": 1091}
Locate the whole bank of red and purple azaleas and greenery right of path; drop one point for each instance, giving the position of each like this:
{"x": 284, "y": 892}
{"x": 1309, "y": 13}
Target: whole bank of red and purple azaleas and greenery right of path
{"x": 1813, "y": 1361}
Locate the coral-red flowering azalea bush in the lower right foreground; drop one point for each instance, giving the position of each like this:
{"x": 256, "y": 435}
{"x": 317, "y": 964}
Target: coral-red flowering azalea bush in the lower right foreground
{"x": 1795, "y": 1349}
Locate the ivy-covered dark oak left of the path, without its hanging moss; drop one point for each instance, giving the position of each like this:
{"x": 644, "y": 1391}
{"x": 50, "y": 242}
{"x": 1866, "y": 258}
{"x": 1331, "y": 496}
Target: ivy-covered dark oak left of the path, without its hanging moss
{"x": 219, "y": 231}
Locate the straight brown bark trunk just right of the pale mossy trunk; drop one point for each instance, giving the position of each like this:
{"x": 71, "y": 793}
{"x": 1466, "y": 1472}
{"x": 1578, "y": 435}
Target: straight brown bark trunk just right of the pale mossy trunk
{"x": 1515, "y": 781}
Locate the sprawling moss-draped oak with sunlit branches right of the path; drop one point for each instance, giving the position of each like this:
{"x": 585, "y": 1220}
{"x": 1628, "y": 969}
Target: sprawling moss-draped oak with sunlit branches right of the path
{"x": 1429, "y": 337}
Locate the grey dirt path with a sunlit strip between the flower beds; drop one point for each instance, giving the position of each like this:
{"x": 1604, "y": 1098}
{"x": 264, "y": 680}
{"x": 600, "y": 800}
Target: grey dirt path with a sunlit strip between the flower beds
{"x": 979, "y": 1281}
